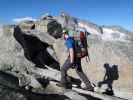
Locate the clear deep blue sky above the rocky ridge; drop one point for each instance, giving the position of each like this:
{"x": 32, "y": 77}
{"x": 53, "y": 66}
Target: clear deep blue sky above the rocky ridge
{"x": 101, "y": 12}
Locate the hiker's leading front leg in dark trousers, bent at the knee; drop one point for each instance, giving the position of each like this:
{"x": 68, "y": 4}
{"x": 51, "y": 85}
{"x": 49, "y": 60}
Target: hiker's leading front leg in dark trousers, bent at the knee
{"x": 64, "y": 69}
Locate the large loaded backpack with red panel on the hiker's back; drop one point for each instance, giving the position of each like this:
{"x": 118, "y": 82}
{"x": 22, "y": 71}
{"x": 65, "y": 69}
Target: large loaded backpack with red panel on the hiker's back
{"x": 80, "y": 42}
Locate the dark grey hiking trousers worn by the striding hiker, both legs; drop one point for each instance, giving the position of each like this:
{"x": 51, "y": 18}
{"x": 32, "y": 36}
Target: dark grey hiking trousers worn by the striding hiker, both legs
{"x": 79, "y": 71}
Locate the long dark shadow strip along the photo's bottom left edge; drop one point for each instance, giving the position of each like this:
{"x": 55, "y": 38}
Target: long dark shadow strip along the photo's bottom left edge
{"x": 28, "y": 95}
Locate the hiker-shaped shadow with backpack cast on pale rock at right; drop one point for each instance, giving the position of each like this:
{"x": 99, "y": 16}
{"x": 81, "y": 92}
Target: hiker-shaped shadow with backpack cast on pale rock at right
{"x": 111, "y": 74}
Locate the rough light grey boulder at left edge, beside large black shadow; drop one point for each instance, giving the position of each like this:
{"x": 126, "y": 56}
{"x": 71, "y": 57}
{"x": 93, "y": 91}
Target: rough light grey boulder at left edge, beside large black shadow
{"x": 11, "y": 53}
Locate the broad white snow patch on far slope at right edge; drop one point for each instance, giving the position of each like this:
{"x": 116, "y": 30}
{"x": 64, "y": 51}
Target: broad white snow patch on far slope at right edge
{"x": 116, "y": 33}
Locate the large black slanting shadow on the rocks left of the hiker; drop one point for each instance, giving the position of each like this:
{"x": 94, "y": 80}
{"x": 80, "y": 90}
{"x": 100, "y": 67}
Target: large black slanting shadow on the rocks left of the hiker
{"x": 35, "y": 50}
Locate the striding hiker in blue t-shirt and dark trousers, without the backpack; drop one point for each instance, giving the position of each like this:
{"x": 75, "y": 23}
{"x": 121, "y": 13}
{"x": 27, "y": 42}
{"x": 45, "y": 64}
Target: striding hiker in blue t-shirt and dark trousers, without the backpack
{"x": 73, "y": 61}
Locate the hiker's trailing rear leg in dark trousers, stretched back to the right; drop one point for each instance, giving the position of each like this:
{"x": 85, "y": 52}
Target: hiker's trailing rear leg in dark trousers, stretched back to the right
{"x": 82, "y": 75}
